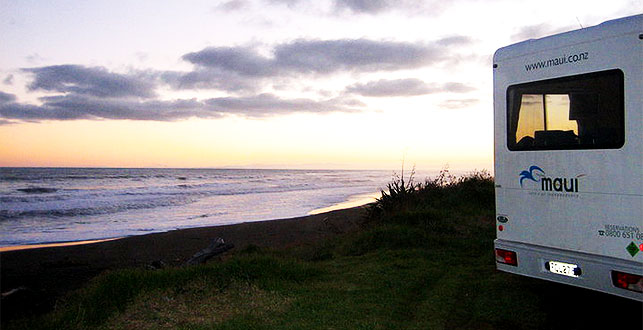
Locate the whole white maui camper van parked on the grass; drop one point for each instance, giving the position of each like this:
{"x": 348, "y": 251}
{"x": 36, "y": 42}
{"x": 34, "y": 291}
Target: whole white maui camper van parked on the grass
{"x": 569, "y": 157}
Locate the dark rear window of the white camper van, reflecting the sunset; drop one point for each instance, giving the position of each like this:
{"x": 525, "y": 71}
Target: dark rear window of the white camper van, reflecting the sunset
{"x": 576, "y": 112}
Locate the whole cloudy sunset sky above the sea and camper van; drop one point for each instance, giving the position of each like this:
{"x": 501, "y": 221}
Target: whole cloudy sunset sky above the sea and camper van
{"x": 329, "y": 84}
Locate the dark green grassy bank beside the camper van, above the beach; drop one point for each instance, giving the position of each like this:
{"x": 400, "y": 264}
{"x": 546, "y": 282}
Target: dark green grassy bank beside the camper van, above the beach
{"x": 424, "y": 260}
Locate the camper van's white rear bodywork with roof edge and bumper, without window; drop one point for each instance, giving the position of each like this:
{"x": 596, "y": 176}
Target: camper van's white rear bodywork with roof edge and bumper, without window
{"x": 585, "y": 206}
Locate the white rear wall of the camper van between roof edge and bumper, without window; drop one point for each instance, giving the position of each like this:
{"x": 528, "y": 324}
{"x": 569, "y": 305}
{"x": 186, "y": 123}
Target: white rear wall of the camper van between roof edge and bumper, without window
{"x": 608, "y": 182}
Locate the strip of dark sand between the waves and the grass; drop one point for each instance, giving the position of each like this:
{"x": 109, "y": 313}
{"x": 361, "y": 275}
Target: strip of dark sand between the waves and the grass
{"x": 44, "y": 274}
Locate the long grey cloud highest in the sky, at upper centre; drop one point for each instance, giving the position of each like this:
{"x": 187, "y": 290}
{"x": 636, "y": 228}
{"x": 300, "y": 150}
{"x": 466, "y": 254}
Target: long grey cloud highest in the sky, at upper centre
{"x": 245, "y": 69}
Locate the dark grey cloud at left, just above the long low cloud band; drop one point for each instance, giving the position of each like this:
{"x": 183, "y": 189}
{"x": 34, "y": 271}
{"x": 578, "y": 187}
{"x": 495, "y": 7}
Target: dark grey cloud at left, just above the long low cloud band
{"x": 94, "y": 81}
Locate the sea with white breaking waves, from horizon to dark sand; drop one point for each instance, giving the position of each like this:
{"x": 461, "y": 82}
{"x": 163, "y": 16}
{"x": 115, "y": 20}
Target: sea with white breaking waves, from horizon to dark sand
{"x": 45, "y": 205}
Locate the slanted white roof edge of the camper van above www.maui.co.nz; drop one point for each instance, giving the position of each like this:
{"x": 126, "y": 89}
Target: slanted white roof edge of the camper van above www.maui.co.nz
{"x": 620, "y": 26}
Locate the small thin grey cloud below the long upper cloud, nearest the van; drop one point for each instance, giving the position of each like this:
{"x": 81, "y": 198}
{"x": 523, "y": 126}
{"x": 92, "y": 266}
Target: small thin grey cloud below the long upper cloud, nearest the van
{"x": 405, "y": 87}
